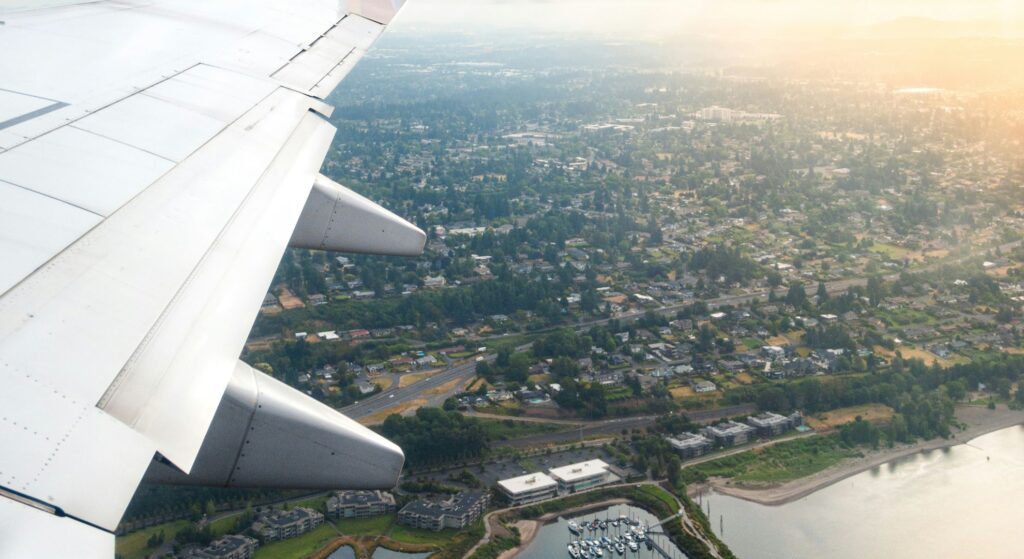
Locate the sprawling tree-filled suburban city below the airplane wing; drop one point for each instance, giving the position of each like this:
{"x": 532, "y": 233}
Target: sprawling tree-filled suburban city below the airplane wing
{"x": 716, "y": 282}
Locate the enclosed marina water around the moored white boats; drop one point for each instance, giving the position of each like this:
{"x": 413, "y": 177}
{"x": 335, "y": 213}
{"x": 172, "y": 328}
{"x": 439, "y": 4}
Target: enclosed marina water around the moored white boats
{"x": 551, "y": 539}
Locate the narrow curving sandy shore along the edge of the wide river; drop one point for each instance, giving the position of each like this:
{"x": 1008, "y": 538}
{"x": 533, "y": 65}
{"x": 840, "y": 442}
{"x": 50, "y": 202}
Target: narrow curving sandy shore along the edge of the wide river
{"x": 979, "y": 421}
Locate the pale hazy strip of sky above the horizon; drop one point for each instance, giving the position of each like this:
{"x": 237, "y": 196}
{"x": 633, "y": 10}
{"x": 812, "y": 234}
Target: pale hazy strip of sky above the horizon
{"x": 659, "y": 20}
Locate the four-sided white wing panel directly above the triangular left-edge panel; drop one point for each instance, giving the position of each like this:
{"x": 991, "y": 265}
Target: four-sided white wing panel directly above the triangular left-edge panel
{"x": 83, "y": 169}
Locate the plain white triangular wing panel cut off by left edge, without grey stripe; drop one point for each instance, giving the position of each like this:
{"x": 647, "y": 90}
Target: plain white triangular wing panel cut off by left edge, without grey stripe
{"x": 33, "y": 228}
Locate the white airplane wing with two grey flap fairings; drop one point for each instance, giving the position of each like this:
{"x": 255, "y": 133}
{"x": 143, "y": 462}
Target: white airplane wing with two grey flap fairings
{"x": 156, "y": 158}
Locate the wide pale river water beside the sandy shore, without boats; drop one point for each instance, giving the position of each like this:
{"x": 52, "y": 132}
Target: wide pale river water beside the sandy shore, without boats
{"x": 967, "y": 501}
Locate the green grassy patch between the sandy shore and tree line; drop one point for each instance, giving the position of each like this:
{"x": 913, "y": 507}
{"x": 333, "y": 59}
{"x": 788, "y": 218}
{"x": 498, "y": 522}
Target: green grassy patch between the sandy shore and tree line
{"x": 776, "y": 464}
